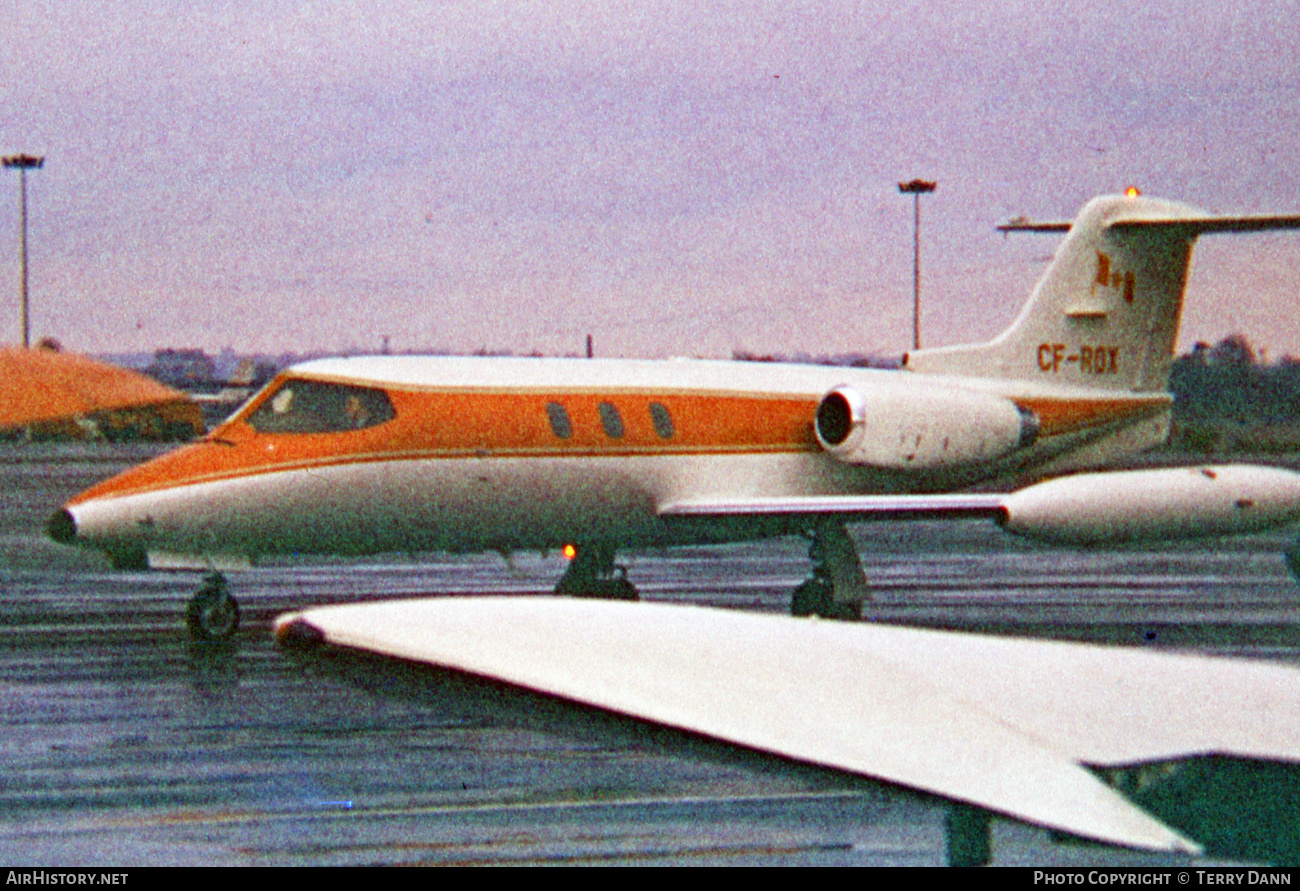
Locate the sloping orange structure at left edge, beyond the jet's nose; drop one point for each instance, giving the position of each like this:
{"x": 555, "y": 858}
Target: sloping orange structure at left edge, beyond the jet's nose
{"x": 47, "y": 392}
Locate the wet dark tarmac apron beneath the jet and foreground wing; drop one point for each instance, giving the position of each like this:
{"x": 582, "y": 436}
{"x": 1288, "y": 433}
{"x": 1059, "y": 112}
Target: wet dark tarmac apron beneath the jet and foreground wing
{"x": 127, "y": 745}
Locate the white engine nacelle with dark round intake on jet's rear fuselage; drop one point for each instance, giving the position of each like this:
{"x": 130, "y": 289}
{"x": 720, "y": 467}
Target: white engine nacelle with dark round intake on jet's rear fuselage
{"x": 921, "y": 429}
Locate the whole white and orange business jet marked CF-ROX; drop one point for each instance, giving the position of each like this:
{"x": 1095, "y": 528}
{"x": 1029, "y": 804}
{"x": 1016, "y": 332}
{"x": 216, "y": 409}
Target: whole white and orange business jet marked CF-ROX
{"x": 404, "y": 453}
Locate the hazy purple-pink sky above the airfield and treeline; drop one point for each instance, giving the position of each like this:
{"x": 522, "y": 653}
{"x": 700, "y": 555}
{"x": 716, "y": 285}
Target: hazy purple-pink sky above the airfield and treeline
{"x": 671, "y": 178}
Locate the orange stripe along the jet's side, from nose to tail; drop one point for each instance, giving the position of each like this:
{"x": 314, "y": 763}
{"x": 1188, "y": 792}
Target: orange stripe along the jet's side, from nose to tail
{"x": 436, "y": 425}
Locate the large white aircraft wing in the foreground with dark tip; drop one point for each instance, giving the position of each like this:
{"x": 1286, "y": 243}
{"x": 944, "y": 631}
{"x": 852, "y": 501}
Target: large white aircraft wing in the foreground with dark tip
{"x": 1000, "y": 724}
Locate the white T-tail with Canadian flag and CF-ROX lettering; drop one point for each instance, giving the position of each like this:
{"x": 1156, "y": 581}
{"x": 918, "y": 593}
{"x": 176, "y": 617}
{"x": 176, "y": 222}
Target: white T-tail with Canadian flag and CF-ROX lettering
{"x": 1106, "y": 313}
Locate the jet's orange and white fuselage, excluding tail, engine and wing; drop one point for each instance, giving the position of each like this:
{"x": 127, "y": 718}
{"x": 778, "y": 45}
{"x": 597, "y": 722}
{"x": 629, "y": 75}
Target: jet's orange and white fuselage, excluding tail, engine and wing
{"x": 405, "y": 453}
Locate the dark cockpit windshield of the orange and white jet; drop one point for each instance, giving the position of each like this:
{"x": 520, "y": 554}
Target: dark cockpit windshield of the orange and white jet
{"x": 305, "y": 406}
